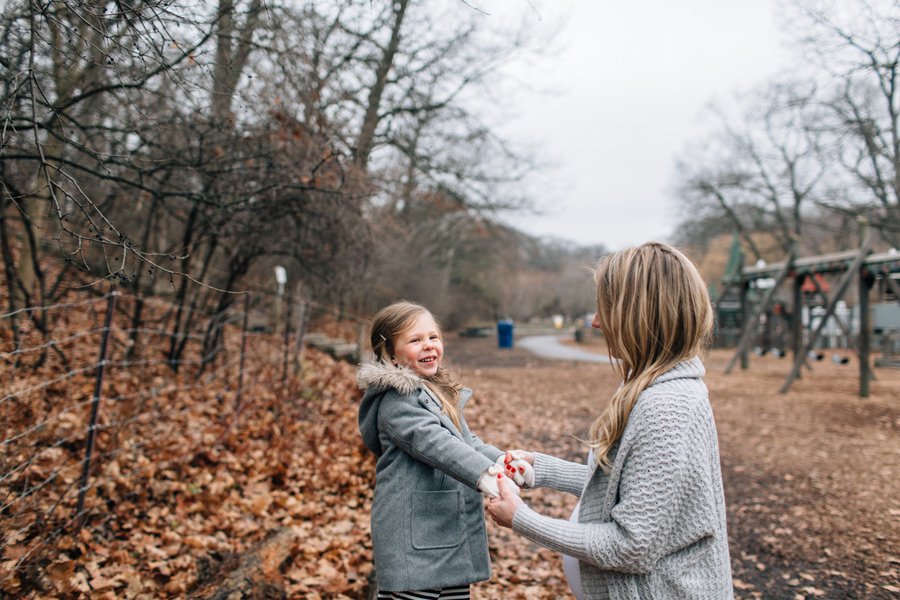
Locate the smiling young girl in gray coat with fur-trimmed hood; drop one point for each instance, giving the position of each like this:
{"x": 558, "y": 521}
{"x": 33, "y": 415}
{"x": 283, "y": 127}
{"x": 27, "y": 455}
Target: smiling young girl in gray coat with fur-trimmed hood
{"x": 428, "y": 526}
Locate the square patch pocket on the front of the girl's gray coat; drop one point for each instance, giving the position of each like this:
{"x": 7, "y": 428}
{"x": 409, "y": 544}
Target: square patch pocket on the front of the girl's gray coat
{"x": 436, "y": 519}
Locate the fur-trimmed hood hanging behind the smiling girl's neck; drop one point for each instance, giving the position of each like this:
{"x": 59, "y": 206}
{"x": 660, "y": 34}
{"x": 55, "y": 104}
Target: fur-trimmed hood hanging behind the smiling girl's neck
{"x": 376, "y": 378}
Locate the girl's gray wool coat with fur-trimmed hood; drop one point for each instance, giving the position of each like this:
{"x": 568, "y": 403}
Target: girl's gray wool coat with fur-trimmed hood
{"x": 428, "y": 528}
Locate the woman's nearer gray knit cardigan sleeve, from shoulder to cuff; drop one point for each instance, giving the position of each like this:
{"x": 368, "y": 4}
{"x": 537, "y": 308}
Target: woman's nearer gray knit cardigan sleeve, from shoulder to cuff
{"x": 654, "y": 476}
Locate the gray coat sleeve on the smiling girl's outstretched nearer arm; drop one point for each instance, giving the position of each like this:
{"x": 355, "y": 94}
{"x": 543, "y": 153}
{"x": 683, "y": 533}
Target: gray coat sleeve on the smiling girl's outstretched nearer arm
{"x": 419, "y": 432}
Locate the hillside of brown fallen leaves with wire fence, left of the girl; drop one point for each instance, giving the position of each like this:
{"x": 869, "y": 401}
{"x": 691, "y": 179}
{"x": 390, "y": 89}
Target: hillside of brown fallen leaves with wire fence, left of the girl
{"x": 184, "y": 480}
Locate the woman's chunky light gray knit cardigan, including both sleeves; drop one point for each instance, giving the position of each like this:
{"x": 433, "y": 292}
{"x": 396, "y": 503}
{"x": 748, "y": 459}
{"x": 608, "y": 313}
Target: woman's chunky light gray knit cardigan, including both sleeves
{"x": 653, "y": 527}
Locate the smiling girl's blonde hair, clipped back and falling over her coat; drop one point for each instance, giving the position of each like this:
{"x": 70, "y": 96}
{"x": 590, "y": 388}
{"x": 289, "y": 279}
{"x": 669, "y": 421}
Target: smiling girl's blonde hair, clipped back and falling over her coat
{"x": 387, "y": 325}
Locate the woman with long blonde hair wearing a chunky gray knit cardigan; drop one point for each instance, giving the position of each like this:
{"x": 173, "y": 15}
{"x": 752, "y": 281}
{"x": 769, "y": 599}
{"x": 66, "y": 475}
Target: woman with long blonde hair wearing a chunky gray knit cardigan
{"x": 651, "y": 517}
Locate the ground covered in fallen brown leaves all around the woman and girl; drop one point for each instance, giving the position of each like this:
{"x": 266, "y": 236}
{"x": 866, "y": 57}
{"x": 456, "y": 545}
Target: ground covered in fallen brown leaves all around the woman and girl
{"x": 811, "y": 485}
